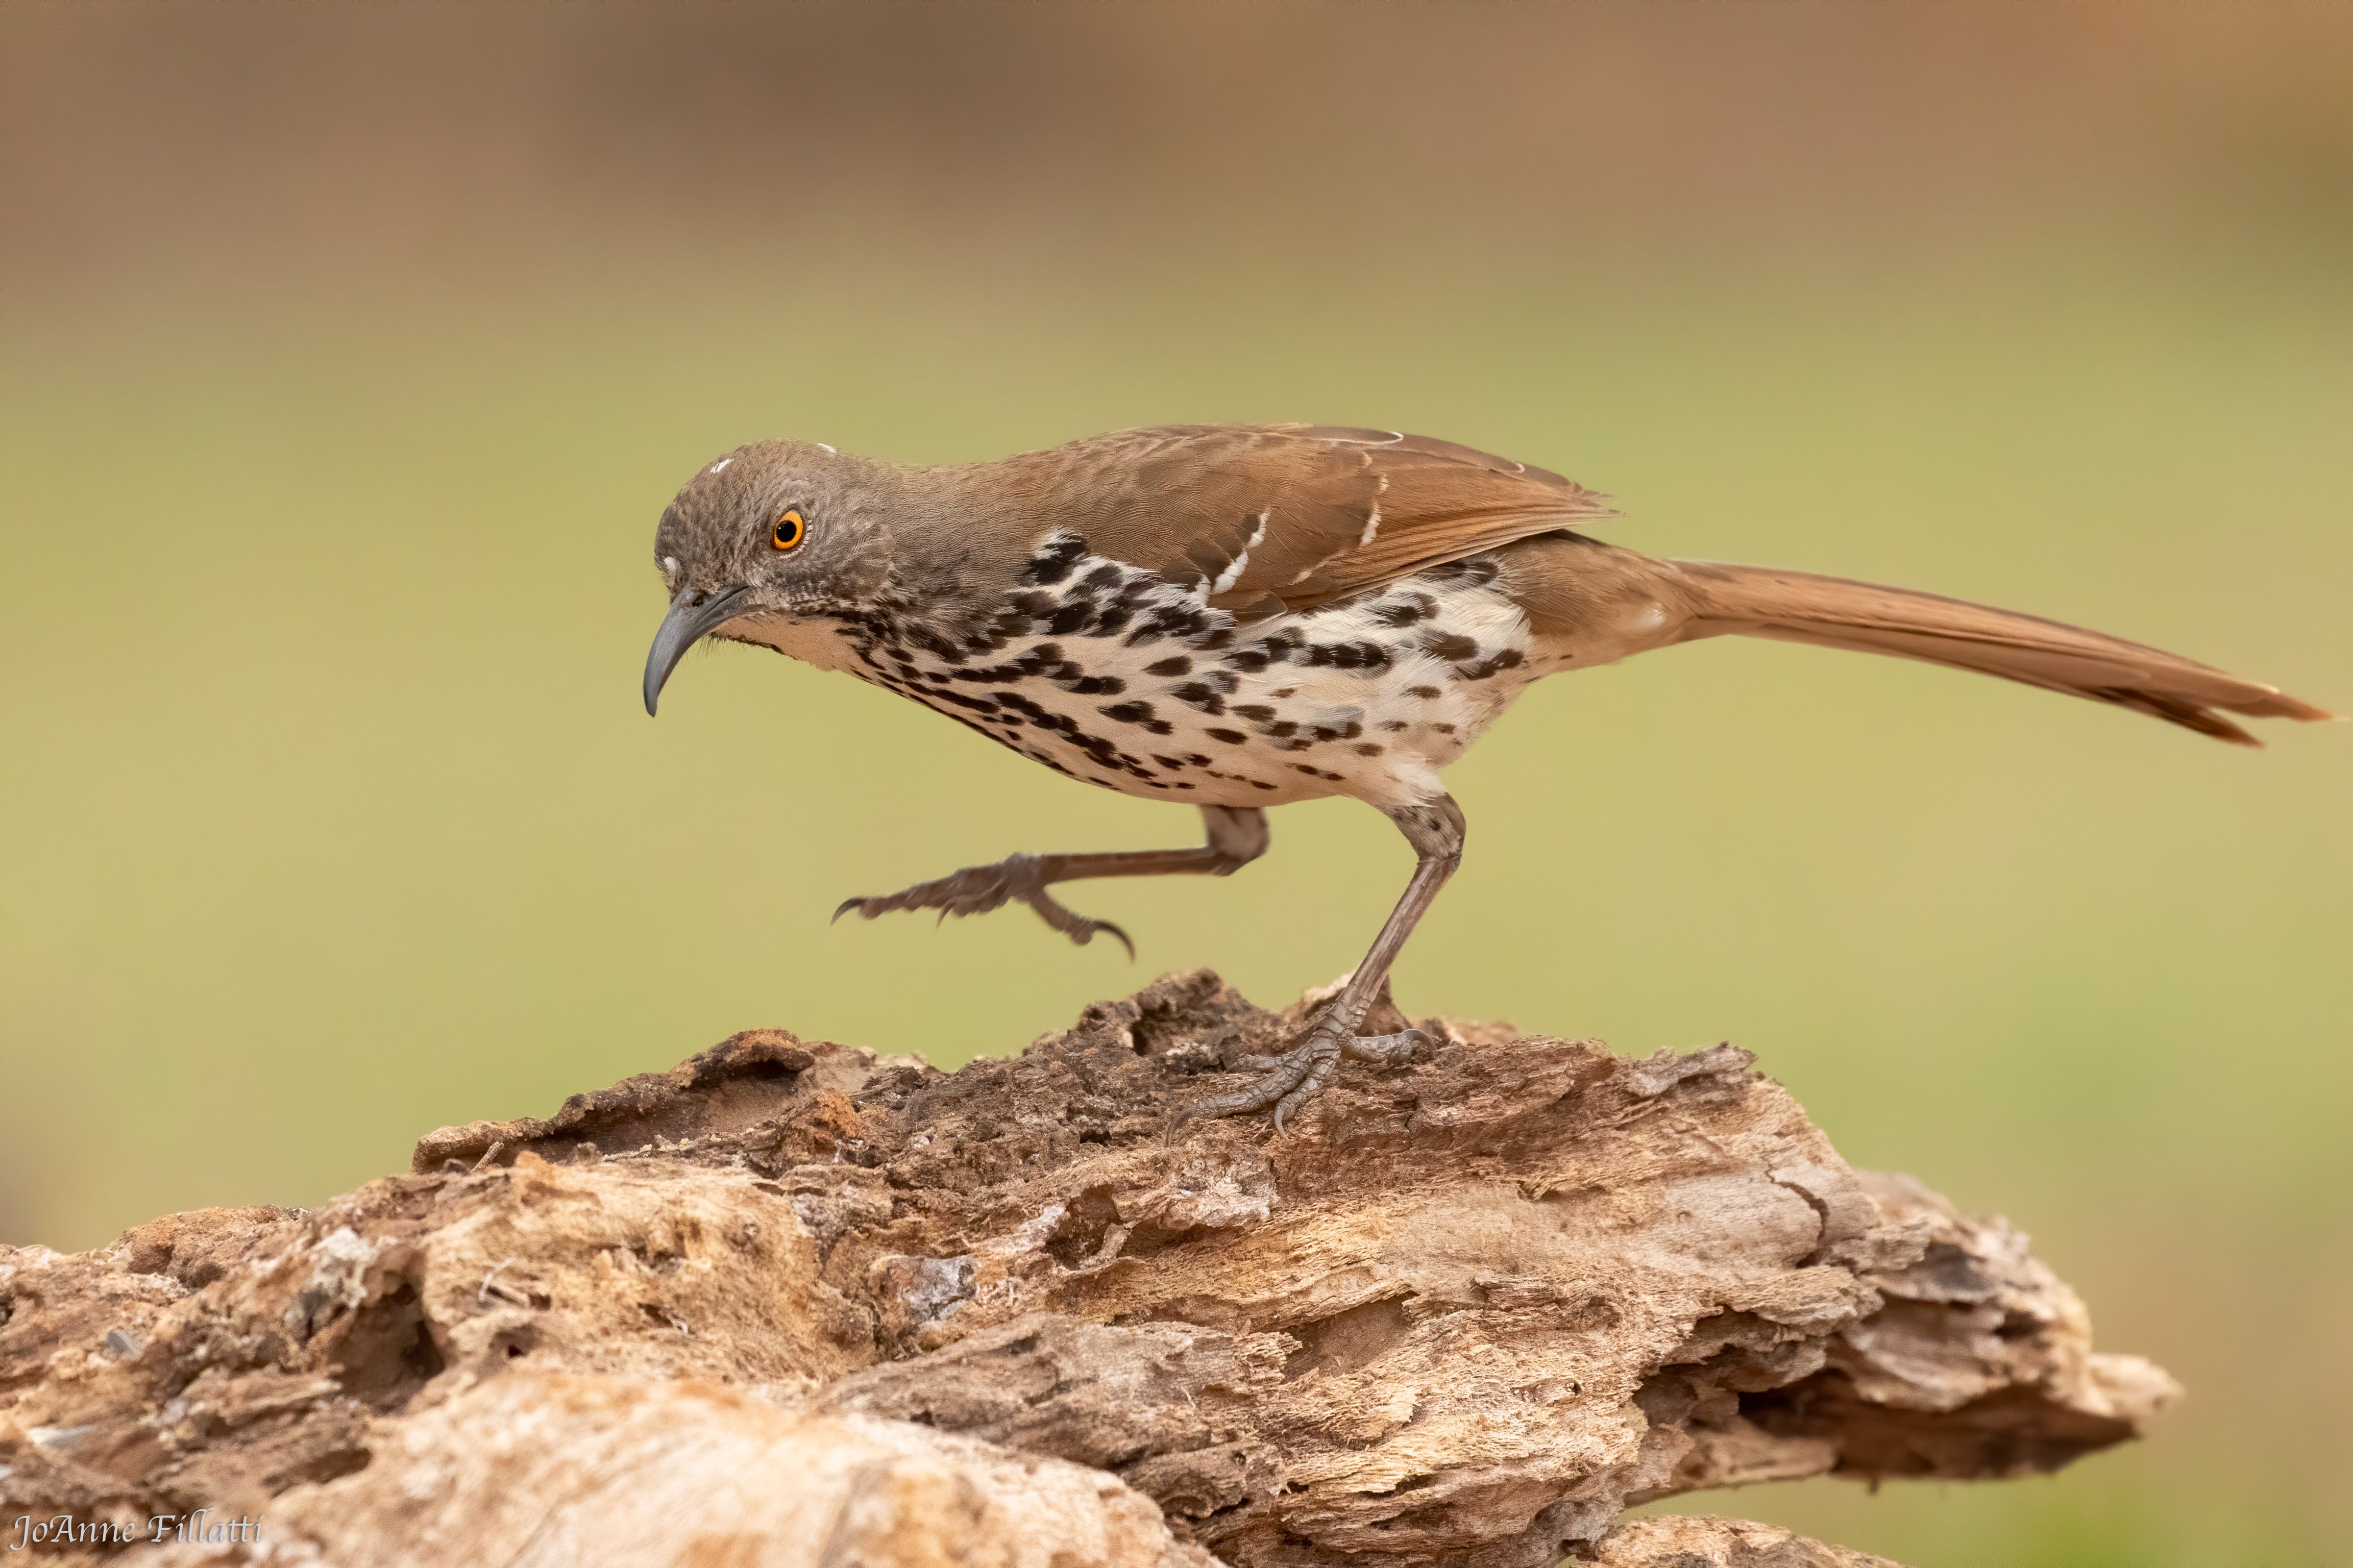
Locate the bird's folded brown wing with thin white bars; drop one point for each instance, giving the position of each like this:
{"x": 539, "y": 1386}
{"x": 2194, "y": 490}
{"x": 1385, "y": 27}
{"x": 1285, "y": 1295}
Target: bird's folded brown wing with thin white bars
{"x": 1286, "y": 518}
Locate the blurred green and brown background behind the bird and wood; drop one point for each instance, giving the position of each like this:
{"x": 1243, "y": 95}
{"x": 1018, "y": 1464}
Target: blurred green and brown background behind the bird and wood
{"x": 352, "y": 354}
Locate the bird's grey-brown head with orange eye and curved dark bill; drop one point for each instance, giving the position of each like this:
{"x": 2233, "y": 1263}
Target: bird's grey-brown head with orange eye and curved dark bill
{"x": 775, "y": 530}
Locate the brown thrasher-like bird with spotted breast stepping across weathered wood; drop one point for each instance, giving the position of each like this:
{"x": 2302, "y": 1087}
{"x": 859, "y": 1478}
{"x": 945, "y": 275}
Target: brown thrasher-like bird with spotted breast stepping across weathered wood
{"x": 1239, "y": 617}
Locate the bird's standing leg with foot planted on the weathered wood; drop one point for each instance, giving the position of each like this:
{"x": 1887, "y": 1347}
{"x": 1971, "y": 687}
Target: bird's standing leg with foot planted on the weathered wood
{"x": 1291, "y": 1080}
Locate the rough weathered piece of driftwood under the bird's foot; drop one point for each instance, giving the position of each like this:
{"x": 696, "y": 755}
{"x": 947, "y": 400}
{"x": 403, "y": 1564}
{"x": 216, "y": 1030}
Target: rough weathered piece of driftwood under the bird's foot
{"x": 801, "y": 1306}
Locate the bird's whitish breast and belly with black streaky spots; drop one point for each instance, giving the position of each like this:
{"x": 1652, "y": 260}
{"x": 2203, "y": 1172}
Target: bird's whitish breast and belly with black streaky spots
{"x": 1112, "y": 674}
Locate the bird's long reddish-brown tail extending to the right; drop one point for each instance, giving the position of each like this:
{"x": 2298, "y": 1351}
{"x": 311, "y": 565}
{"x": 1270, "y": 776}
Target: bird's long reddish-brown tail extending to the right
{"x": 1839, "y": 615}
